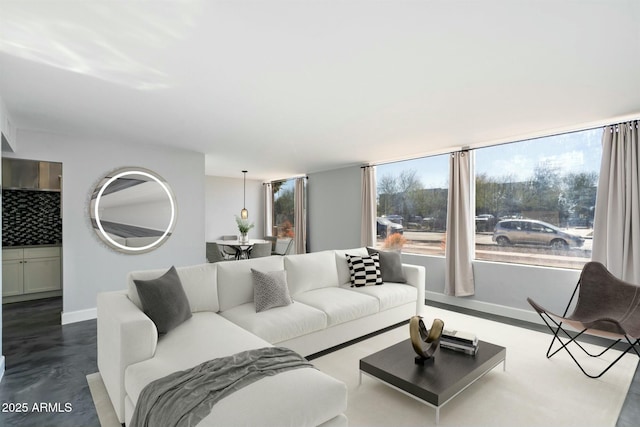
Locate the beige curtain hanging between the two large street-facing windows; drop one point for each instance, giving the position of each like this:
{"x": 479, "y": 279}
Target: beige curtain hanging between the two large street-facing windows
{"x": 459, "y": 250}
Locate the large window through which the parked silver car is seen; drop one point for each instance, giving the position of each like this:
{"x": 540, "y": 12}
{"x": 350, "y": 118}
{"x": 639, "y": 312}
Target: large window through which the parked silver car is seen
{"x": 537, "y": 197}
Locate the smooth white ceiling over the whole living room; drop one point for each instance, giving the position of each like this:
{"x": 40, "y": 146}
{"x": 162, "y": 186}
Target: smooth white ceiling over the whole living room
{"x": 283, "y": 88}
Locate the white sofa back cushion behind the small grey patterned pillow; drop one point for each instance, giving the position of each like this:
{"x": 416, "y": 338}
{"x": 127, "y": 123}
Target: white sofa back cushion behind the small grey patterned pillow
{"x": 235, "y": 282}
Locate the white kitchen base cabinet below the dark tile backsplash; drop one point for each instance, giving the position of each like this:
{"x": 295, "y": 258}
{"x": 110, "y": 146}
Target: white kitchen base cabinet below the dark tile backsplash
{"x": 30, "y": 270}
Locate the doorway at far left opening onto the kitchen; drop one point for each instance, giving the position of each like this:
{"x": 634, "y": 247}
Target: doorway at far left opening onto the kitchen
{"x": 31, "y": 233}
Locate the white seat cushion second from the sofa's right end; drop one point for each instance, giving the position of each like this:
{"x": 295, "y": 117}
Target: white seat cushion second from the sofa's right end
{"x": 339, "y": 305}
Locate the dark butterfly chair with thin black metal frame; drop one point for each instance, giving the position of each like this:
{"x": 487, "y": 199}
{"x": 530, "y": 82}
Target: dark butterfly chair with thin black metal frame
{"x": 606, "y": 306}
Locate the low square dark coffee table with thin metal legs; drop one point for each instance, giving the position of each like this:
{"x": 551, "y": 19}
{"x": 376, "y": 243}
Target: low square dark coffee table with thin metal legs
{"x": 436, "y": 382}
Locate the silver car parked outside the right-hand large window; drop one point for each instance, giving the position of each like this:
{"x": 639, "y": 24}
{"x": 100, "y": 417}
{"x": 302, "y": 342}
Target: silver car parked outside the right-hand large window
{"x": 533, "y": 232}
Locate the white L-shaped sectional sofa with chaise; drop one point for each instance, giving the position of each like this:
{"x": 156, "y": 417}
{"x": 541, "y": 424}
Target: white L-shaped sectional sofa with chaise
{"x": 326, "y": 311}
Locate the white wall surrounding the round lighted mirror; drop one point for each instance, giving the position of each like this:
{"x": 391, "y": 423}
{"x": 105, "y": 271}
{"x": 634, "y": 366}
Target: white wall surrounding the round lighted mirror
{"x": 88, "y": 265}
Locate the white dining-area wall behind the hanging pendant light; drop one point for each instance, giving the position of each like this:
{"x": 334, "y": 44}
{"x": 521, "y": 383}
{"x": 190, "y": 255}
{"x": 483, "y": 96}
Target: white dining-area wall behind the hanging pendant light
{"x": 224, "y": 201}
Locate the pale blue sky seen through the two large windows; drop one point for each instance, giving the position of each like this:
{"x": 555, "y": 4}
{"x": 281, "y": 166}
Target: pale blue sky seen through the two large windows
{"x": 570, "y": 152}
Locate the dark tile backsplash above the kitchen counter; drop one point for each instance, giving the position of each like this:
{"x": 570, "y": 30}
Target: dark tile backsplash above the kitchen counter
{"x": 31, "y": 218}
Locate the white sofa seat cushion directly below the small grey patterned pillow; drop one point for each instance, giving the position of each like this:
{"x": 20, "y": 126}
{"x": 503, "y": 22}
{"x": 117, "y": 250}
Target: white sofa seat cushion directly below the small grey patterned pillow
{"x": 278, "y": 324}
